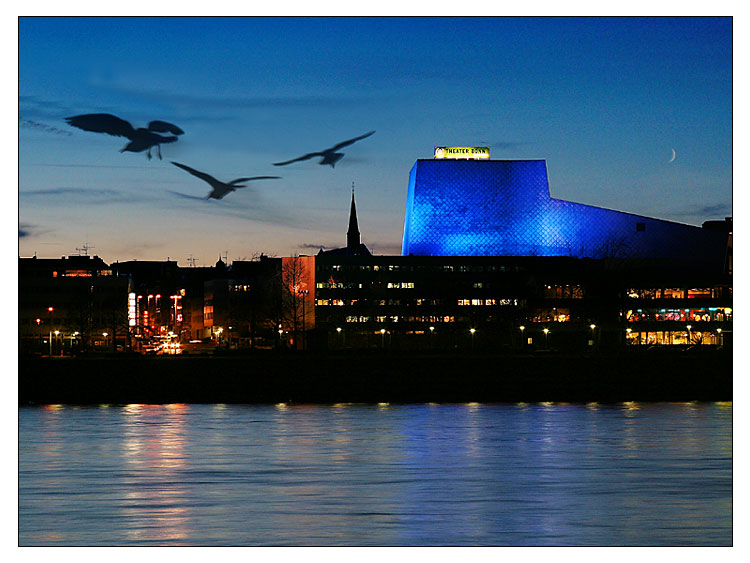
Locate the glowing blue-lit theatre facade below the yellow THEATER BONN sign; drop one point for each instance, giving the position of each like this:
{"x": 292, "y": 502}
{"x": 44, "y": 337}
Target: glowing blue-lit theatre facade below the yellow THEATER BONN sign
{"x": 504, "y": 208}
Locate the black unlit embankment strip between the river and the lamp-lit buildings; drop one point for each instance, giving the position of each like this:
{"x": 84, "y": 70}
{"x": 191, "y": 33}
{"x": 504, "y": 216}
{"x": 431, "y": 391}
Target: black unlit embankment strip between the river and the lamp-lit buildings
{"x": 372, "y": 378}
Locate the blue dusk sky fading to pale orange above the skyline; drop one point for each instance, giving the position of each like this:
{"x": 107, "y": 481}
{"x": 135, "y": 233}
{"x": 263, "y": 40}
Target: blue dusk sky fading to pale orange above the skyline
{"x": 630, "y": 114}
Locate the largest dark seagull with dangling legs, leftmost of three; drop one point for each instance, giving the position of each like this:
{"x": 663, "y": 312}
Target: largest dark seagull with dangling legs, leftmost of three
{"x": 141, "y": 139}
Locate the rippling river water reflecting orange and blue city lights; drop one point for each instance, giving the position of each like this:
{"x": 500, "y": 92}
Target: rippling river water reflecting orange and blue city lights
{"x": 394, "y": 475}
